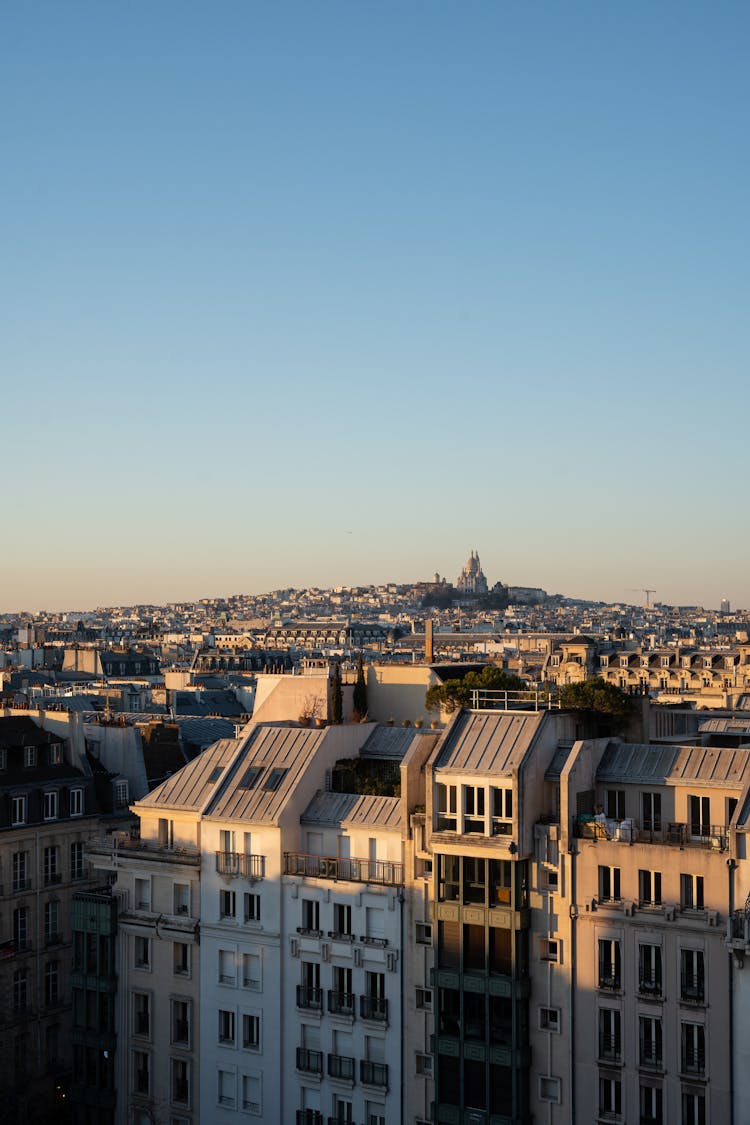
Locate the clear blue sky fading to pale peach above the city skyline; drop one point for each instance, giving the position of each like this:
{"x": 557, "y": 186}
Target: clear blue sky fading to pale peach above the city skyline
{"x": 333, "y": 293}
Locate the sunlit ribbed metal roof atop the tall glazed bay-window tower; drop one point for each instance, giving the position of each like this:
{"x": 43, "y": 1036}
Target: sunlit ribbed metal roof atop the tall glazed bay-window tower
{"x": 492, "y": 743}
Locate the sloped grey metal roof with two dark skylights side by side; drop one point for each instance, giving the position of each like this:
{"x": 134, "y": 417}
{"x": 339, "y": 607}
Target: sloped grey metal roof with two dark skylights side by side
{"x": 291, "y": 749}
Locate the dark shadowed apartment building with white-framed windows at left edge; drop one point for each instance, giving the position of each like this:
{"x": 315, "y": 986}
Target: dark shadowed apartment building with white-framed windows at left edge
{"x": 48, "y": 815}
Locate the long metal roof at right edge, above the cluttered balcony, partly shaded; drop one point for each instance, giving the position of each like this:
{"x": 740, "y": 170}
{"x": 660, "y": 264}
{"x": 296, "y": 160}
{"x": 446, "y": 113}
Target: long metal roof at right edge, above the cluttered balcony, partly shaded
{"x": 675, "y": 766}
